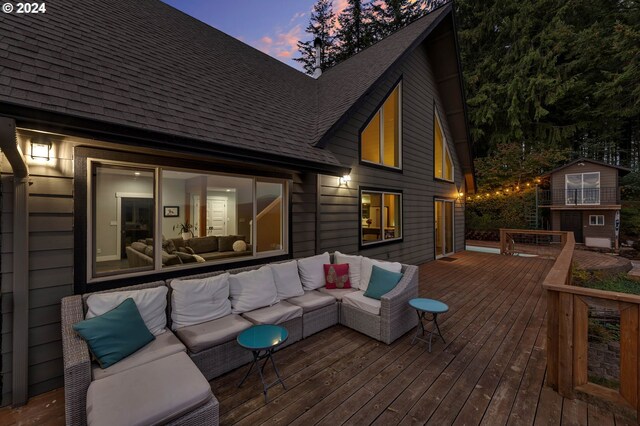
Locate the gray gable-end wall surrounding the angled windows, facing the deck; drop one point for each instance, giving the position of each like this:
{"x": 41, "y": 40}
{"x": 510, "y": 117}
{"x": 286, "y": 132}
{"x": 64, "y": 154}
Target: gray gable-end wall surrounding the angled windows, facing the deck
{"x": 338, "y": 214}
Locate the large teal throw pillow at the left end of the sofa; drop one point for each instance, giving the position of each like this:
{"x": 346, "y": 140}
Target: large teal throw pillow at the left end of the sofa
{"x": 116, "y": 334}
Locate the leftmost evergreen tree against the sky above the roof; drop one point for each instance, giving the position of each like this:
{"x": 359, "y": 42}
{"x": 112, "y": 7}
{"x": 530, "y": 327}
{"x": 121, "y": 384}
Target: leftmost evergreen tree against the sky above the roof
{"x": 322, "y": 26}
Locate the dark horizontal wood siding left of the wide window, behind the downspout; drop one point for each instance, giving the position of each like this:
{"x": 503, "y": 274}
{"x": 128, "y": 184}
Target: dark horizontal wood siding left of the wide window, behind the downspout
{"x": 50, "y": 271}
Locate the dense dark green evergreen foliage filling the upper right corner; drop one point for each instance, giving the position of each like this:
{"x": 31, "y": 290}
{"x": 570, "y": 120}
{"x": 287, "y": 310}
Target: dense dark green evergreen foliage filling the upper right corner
{"x": 559, "y": 74}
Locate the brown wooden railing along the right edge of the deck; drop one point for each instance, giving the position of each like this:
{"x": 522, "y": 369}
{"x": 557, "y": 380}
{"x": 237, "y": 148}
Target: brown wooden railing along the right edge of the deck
{"x": 567, "y": 329}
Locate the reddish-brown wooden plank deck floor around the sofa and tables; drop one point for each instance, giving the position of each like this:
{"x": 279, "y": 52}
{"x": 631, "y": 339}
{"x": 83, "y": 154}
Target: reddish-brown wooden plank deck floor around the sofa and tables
{"x": 490, "y": 371}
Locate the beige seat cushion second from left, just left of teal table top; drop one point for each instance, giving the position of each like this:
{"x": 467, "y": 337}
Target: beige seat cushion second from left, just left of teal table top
{"x": 211, "y": 333}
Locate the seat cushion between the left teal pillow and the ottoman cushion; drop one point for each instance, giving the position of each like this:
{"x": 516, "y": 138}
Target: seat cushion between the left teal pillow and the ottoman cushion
{"x": 164, "y": 345}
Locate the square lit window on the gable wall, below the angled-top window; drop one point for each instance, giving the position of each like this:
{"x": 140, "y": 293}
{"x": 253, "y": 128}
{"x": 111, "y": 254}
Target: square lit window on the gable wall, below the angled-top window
{"x": 381, "y": 216}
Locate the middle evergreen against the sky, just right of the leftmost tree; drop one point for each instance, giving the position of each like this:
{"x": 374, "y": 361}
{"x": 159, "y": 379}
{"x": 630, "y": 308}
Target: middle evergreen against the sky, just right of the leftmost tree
{"x": 355, "y": 32}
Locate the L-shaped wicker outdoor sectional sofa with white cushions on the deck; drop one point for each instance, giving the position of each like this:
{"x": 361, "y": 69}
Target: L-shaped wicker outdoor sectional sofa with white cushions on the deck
{"x": 294, "y": 297}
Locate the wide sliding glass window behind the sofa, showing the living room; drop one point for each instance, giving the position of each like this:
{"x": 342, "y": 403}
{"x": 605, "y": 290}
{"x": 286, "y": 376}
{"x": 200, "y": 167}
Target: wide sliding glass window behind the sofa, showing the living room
{"x": 149, "y": 218}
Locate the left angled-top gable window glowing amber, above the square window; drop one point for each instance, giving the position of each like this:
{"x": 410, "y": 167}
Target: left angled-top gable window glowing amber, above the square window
{"x": 381, "y": 140}
